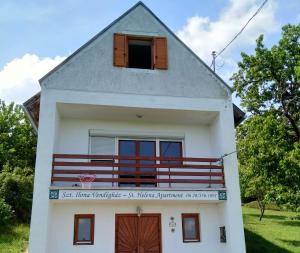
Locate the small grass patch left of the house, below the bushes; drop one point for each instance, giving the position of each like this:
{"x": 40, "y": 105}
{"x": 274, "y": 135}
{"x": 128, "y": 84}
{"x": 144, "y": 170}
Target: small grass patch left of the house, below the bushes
{"x": 14, "y": 240}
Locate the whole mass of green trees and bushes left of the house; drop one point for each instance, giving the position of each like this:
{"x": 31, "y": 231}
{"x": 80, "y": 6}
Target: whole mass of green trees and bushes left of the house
{"x": 17, "y": 157}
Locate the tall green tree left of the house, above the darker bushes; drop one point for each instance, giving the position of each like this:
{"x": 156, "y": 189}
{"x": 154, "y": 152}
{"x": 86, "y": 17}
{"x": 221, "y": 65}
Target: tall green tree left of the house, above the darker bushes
{"x": 17, "y": 137}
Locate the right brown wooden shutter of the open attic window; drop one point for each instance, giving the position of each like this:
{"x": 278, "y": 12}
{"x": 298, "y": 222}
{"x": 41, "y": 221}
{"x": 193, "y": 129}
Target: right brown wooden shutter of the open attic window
{"x": 161, "y": 53}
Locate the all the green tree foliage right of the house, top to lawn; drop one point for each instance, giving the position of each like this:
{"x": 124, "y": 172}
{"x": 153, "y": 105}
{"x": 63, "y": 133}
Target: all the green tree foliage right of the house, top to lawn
{"x": 268, "y": 84}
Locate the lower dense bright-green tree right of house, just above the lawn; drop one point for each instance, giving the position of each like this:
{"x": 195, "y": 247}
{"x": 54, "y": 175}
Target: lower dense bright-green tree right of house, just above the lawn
{"x": 268, "y": 162}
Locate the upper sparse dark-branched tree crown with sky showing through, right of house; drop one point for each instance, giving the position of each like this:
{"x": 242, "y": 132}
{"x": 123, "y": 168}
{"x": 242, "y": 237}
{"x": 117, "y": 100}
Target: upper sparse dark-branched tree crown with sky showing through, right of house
{"x": 270, "y": 79}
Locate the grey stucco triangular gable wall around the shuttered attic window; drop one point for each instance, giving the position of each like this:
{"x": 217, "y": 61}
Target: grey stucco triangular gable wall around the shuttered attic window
{"x": 92, "y": 68}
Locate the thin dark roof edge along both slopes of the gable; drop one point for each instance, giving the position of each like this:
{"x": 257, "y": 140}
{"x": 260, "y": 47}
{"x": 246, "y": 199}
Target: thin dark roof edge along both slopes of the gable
{"x": 116, "y": 21}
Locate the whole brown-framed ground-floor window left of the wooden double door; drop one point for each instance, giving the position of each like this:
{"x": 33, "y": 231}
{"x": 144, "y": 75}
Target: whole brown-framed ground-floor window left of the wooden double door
{"x": 84, "y": 229}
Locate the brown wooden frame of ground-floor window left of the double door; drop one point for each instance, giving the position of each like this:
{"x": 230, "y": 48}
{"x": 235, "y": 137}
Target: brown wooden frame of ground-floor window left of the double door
{"x": 77, "y": 217}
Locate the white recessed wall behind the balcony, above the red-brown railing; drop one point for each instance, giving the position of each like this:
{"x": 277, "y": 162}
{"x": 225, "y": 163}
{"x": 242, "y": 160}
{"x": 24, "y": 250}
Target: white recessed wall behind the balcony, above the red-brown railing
{"x": 74, "y": 135}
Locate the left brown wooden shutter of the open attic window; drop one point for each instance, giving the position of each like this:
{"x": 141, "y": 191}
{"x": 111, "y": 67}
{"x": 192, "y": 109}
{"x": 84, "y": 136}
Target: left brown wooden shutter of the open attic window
{"x": 120, "y": 50}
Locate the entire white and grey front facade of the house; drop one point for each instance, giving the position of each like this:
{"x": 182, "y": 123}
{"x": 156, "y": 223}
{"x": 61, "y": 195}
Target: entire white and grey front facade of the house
{"x": 87, "y": 96}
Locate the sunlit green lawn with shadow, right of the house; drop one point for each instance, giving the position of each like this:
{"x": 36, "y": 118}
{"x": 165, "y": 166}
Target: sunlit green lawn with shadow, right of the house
{"x": 276, "y": 233}
